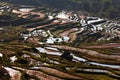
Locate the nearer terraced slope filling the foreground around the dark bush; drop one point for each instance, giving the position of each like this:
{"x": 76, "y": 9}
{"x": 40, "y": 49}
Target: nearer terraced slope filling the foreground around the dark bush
{"x": 47, "y": 64}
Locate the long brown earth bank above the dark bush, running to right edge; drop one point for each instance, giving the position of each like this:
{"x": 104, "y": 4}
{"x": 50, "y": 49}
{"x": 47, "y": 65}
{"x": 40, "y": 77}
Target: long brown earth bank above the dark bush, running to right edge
{"x": 92, "y": 55}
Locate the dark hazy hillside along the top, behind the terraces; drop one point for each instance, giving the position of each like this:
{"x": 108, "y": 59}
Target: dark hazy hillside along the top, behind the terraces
{"x": 102, "y": 8}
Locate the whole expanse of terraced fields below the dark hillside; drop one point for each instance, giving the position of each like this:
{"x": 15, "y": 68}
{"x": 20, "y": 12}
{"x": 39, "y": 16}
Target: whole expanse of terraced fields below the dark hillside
{"x": 91, "y": 52}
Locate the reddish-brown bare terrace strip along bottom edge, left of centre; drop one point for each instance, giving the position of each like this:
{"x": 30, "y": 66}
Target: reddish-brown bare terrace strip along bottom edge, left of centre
{"x": 50, "y": 71}
